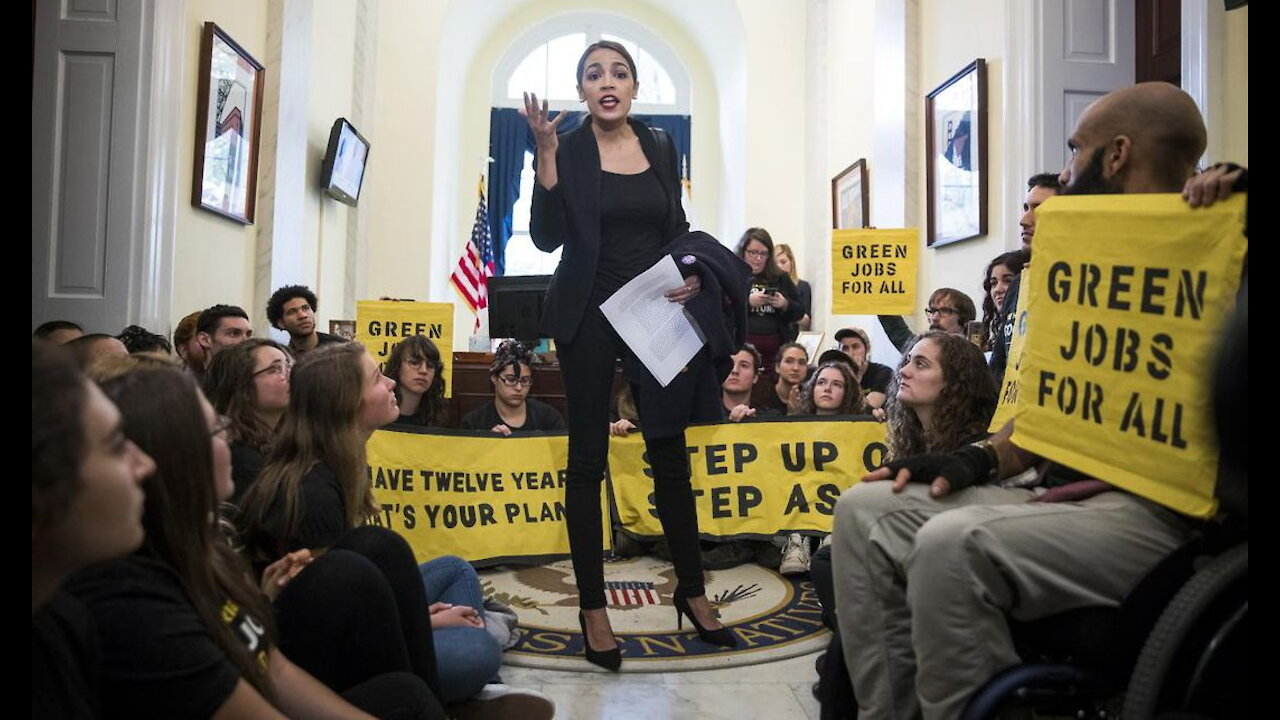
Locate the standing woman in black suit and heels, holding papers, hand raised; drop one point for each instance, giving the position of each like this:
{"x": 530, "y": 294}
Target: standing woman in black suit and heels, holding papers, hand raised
{"x": 610, "y": 194}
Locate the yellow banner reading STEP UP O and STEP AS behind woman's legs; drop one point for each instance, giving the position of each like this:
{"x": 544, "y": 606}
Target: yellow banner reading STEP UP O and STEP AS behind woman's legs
{"x": 753, "y": 479}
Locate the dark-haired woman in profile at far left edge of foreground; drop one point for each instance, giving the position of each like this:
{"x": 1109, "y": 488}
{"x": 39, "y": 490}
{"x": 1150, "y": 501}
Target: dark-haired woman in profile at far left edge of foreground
{"x": 86, "y": 507}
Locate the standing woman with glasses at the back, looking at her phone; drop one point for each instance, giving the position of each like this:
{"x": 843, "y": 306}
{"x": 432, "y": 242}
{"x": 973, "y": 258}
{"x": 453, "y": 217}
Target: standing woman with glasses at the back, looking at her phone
{"x": 775, "y": 303}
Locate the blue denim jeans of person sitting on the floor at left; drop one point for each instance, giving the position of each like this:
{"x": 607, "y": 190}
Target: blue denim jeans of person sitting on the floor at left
{"x": 468, "y": 658}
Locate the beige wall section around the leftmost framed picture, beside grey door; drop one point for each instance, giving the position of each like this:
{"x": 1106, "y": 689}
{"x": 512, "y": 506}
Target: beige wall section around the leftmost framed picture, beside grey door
{"x": 213, "y": 257}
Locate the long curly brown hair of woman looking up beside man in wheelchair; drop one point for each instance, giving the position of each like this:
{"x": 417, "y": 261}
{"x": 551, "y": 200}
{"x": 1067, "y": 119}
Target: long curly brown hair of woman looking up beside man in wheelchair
{"x": 963, "y": 409}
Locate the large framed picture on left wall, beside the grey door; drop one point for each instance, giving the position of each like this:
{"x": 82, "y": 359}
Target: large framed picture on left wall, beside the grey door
{"x": 228, "y": 120}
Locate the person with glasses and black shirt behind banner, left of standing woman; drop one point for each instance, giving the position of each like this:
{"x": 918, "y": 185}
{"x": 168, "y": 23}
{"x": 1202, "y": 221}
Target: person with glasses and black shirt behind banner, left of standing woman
{"x": 513, "y": 411}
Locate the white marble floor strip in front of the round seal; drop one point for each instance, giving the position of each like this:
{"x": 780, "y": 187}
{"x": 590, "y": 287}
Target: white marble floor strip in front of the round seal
{"x": 771, "y": 691}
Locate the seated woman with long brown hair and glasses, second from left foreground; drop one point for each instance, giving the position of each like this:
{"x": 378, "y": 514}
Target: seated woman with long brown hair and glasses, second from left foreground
{"x": 185, "y": 632}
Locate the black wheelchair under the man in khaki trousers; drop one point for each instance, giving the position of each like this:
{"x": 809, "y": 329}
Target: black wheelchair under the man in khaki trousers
{"x": 1150, "y": 658}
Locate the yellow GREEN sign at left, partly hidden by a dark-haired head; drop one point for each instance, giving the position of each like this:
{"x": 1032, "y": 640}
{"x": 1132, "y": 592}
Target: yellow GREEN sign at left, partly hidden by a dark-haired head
{"x": 381, "y": 325}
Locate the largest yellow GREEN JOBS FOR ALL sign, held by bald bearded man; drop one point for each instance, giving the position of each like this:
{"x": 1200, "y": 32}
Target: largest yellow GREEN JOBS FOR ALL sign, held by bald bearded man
{"x": 1127, "y": 298}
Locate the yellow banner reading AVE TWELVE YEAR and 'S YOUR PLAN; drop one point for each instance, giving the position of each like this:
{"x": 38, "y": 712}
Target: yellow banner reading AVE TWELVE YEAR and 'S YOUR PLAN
{"x": 486, "y": 499}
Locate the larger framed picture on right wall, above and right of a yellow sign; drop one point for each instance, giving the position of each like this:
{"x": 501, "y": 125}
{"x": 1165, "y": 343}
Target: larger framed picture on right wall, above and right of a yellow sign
{"x": 956, "y": 117}
